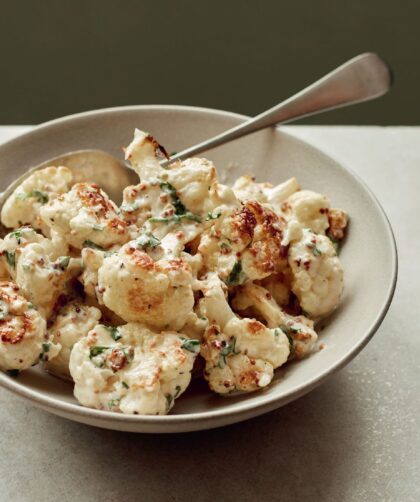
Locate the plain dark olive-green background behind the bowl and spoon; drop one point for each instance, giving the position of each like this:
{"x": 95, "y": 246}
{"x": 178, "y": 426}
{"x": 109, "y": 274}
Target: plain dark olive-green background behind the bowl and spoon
{"x": 60, "y": 57}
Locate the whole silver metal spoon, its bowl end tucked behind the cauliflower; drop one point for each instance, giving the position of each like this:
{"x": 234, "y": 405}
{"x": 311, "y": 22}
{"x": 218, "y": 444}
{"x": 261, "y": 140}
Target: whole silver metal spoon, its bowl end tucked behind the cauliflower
{"x": 360, "y": 79}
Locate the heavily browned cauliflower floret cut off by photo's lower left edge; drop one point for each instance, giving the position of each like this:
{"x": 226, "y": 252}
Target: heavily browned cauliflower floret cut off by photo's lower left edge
{"x": 23, "y": 335}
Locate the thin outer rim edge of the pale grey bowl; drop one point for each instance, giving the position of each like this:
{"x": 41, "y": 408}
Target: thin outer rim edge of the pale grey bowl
{"x": 265, "y": 402}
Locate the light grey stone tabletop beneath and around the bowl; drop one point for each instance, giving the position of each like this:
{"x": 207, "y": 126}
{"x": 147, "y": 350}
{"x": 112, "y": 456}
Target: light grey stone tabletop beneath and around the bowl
{"x": 355, "y": 438}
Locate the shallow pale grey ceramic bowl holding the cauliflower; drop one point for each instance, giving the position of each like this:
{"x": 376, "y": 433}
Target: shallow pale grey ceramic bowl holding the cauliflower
{"x": 368, "y": 256}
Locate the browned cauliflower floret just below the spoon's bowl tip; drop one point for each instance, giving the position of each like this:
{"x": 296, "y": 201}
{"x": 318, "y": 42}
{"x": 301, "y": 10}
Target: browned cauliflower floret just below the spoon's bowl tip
{"x": 85, "y": 214}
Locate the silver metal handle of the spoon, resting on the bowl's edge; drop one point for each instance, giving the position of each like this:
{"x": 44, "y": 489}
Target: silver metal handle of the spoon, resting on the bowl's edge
{"x": 362, "y": 78}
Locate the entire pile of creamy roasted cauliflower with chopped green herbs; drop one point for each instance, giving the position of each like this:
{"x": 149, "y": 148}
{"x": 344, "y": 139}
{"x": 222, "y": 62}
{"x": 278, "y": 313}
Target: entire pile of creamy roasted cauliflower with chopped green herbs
{"x": 188, "y": 276}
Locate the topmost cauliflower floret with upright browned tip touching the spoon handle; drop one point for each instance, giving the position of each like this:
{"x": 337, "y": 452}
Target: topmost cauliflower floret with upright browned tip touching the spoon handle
{"x": 176, "y": 199}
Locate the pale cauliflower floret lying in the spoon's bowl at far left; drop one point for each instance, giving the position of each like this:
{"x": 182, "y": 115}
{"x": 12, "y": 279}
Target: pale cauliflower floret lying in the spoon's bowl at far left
{"x": 24, "y": 205}
